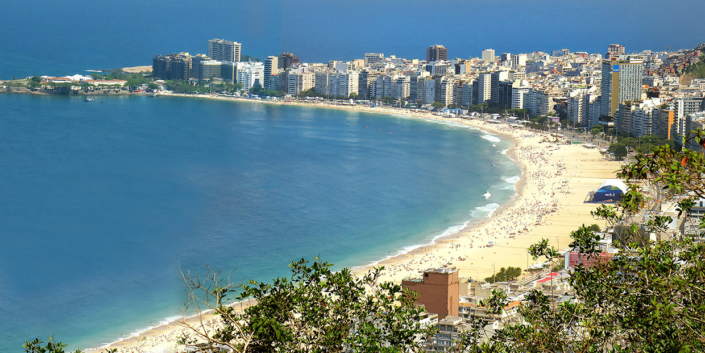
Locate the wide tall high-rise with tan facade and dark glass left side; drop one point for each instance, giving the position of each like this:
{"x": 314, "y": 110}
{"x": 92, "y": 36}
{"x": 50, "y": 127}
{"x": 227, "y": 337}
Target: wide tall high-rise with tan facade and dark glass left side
{"x": 621, "y": 81}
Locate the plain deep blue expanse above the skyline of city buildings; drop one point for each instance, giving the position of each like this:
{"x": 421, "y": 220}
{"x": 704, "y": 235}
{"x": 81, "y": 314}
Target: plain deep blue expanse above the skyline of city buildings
{"x": 74, "y": 35}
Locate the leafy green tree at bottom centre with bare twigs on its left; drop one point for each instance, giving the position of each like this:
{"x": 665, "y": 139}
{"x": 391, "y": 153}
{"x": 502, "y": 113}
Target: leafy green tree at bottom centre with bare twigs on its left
{"x": 314, "y": 310}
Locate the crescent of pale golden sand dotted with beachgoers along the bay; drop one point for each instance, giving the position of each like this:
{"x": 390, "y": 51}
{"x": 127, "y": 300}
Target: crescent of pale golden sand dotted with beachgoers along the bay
{"x": 549, "y": 203}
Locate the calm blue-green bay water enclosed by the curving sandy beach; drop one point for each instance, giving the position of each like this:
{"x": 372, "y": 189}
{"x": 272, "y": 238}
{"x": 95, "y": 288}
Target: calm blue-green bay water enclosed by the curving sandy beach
{"x": 101, "y": 204}
